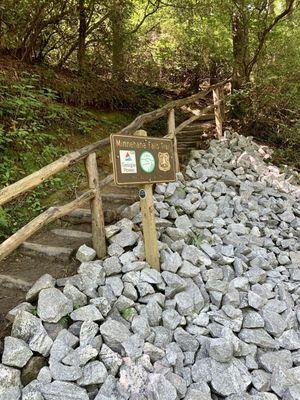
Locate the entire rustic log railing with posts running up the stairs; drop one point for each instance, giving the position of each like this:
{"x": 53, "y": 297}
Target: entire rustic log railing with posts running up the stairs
{"x": 88, "y": 155}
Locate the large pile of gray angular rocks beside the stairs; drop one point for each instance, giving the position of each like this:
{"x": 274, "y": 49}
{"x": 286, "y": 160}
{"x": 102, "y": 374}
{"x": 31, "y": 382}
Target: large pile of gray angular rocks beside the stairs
{"x": 221, "y": 319}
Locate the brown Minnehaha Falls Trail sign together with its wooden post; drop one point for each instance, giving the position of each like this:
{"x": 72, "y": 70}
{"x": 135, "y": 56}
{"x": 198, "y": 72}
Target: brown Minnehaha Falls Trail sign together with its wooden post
{"x": 144, "y": 161}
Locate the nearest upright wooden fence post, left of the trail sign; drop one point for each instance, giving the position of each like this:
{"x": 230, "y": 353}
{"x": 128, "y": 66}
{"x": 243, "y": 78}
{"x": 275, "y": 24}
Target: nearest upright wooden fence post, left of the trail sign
{"x": 98, "y": 225}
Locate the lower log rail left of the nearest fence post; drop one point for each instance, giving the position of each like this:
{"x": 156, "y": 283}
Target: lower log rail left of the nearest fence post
{"x": 43, "y": 219}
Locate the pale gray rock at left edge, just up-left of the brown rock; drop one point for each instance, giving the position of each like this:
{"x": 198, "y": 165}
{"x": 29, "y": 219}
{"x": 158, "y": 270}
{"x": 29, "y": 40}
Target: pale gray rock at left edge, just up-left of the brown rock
{"x": 16, "y": 352}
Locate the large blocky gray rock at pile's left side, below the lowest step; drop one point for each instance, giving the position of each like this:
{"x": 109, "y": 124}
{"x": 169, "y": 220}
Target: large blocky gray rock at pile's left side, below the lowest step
{"x": 53, "y": 305}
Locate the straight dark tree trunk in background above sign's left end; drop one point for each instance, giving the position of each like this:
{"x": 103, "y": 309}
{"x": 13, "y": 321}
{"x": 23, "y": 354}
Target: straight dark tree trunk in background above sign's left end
{"x": 118, "y": 39}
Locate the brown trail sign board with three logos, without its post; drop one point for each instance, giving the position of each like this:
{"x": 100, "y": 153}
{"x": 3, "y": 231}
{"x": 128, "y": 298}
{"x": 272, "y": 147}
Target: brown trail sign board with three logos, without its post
{"x": 140, "y": 160}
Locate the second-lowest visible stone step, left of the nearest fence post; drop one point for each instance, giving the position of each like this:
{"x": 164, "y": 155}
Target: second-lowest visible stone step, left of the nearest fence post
{"x": 59, "y": 253}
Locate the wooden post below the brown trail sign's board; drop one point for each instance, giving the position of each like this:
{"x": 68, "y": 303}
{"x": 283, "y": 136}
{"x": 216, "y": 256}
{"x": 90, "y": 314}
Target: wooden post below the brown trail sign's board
{"x": 149, "y": 228}
